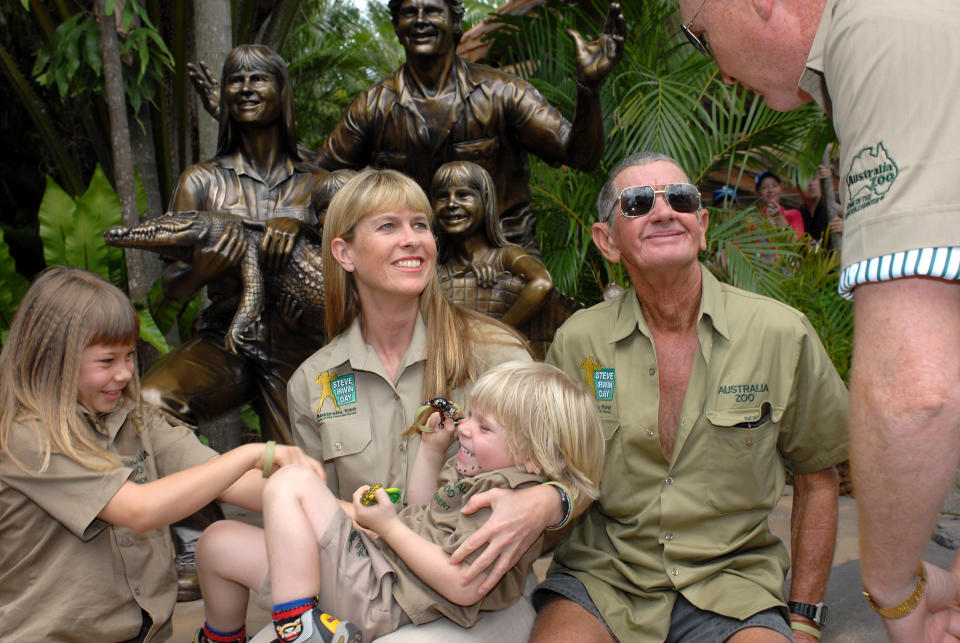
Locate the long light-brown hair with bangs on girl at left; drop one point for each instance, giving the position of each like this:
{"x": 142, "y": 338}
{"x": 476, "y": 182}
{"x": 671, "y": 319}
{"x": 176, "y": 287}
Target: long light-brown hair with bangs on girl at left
{"x": 64, "y": 311}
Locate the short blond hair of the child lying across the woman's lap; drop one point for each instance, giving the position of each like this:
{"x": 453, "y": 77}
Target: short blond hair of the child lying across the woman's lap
{"x": 548, "y": 418}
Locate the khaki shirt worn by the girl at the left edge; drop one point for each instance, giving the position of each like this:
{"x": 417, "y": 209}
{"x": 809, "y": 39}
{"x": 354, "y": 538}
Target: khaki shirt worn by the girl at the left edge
{"x": 66, "y": 575}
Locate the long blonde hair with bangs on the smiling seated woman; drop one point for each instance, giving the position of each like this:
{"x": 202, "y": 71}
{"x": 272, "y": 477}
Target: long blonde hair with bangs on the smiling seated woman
{"x": 451, "y": 329}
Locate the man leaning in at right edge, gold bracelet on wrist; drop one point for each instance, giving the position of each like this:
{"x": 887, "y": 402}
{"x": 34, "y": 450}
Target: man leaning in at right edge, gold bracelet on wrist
{"x": 885, "y": 71}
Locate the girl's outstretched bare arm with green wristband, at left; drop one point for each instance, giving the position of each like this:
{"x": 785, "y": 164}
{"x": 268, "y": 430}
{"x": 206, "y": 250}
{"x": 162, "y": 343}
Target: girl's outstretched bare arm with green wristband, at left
{"x": 161, "y": 502}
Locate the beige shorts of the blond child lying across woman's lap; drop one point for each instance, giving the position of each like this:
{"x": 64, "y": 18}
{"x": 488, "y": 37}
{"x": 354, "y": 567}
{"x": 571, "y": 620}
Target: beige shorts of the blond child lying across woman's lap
{"x": 356, "y": 581}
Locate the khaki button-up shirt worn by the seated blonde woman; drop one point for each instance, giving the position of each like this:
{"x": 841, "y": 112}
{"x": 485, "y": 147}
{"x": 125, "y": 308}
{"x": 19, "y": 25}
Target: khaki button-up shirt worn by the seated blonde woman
{"x": 345, "y": 411}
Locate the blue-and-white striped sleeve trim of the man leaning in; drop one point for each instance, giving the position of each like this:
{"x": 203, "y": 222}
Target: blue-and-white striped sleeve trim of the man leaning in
{"x": 942, "y": 263}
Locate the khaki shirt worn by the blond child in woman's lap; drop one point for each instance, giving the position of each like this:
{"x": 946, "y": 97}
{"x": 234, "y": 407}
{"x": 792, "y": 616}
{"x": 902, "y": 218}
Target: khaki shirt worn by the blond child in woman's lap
{"x": 441, "y": 523}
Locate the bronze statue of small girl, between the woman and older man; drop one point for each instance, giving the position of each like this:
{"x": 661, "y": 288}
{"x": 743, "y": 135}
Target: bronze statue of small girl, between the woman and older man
{"x": 478, "y": 268}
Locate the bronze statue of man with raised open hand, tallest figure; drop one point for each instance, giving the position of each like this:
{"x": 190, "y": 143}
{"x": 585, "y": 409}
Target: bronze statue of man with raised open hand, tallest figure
{"x": 438, "y": 107}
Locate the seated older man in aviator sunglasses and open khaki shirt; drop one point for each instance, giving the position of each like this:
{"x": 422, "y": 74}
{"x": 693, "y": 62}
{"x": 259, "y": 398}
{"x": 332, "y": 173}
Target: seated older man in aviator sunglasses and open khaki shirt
{"x": 705, "y": 392}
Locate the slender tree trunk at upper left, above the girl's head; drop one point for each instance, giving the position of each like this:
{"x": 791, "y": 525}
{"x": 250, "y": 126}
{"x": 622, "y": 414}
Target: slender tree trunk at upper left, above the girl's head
{"x": 123, "y": 177}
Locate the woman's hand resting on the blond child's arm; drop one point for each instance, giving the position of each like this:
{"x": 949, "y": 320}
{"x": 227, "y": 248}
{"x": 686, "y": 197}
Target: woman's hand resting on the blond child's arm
{"x": 518, "y": 517}
